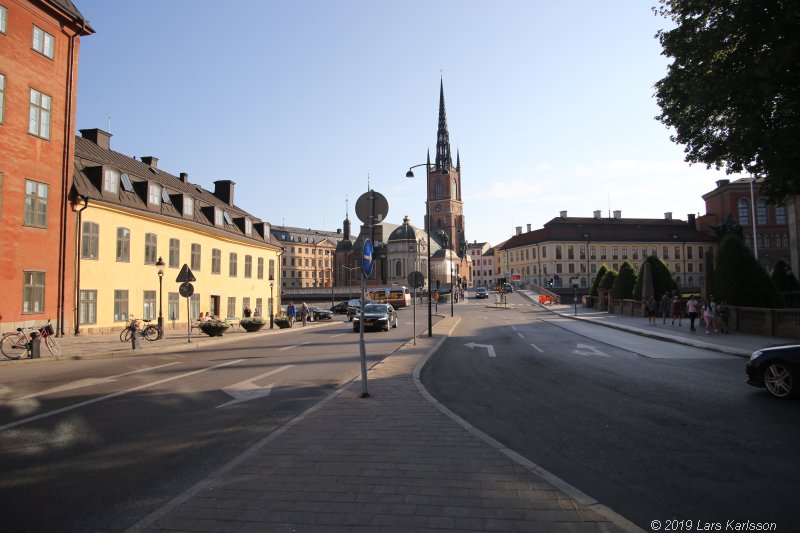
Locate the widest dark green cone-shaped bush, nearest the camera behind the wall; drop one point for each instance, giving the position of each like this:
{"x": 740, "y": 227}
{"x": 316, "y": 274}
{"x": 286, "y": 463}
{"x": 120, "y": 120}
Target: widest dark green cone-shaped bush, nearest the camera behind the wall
{"x": 740, "y": 280}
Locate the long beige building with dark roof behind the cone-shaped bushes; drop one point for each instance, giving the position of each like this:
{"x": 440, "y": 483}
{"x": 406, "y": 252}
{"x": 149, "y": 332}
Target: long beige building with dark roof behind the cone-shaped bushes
{"x": 570, "y": 250}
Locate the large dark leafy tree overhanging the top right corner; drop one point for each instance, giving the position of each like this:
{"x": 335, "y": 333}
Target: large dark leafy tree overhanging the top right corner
{"x": 731, "y": 91}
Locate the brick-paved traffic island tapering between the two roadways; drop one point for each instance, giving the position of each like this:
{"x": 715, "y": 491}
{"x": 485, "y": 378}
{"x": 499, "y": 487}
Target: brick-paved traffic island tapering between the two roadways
{"x": 397, "y": 461}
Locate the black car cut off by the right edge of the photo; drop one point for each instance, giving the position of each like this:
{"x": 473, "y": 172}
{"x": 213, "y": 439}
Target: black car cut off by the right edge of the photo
{"x": 777, "y": 369}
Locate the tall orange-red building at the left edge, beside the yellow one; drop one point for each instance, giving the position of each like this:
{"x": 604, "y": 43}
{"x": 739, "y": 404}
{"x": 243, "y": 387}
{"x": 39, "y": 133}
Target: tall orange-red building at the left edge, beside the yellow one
{"x": 39, "y": 44}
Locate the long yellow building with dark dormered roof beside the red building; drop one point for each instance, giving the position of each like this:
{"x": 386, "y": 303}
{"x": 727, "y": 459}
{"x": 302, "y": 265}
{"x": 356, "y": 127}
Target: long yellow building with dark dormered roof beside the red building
{"x": 133, "y": 216}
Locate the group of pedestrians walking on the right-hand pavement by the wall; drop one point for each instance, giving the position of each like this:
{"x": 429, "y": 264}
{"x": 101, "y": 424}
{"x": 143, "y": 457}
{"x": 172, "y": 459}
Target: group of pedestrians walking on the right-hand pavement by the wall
{"x": 712, "y": 315}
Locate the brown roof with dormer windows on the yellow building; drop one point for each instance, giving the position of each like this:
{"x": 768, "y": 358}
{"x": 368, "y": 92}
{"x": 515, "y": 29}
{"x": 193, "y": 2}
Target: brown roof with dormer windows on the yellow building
{"x": 91, "y": 160}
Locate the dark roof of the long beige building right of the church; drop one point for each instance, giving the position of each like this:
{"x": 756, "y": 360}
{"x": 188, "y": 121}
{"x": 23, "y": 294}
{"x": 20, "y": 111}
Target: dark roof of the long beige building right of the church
{"x": 610, "y": 230}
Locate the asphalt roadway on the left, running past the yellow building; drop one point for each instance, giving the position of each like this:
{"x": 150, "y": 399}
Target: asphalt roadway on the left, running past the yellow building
{"x": 95, "y": 445}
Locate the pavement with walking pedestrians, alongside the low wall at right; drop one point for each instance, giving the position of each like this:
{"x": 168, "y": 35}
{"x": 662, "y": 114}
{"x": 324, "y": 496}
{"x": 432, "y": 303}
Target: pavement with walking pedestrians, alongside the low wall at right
{"x": 734, "y": 343}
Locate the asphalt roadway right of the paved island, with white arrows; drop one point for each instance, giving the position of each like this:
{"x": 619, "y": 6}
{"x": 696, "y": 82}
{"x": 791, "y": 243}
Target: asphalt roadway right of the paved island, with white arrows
{"x": 654, "y": 430}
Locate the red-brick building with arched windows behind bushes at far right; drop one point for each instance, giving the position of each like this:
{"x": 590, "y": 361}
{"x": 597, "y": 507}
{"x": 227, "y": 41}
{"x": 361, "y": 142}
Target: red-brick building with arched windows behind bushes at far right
{"x": 776, "y": 231}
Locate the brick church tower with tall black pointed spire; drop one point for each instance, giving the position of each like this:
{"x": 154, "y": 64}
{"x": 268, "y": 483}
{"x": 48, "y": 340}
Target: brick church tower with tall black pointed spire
{"x": 444, "y": 188}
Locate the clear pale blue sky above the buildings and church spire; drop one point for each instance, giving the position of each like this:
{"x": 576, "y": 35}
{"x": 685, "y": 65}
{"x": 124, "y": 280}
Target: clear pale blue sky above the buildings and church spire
{"x": 549, "y": 103}
